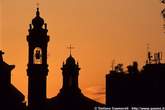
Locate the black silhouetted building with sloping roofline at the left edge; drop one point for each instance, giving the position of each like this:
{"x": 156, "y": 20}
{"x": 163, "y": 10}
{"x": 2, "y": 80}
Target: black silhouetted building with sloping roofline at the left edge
{"x": 10, "y": 97}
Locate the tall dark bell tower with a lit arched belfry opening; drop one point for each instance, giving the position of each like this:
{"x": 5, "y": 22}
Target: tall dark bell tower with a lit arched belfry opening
{"x": 37, "y": 62}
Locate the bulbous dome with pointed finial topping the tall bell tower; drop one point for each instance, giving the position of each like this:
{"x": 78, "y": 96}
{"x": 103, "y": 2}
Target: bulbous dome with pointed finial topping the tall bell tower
{"x": 38, "y": 21}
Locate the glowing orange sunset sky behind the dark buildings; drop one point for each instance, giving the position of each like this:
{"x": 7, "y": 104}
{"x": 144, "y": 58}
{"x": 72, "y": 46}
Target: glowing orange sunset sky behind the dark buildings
{"x": 100, "y": 30}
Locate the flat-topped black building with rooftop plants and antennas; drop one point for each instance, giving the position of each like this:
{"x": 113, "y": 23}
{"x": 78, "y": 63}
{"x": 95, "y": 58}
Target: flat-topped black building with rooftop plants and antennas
{"x": 144, "y": 88}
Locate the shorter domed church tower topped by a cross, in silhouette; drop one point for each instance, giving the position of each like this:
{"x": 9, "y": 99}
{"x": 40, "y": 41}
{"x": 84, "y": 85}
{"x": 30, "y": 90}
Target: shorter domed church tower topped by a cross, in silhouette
{"x": 70, "y": 72}
